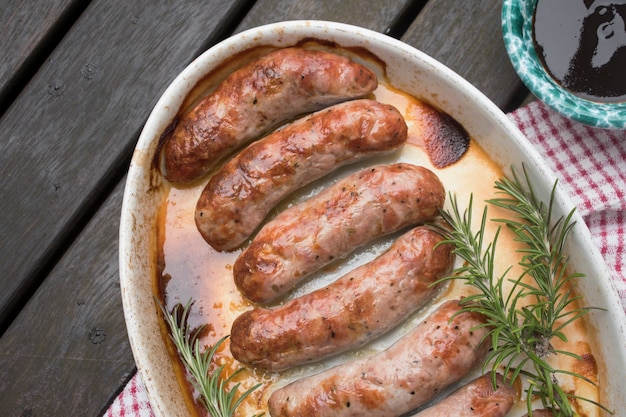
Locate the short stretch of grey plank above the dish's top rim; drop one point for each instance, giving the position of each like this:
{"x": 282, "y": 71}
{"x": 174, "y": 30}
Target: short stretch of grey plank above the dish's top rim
{"x": 375, "y": 15}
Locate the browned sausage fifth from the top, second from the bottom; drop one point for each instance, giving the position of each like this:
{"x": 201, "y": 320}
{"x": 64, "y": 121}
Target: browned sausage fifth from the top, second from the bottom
{"x": 438, "y": 352}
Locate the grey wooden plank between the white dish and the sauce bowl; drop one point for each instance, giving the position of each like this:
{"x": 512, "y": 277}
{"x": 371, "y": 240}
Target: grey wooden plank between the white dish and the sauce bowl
{"x": 469, "y": 41}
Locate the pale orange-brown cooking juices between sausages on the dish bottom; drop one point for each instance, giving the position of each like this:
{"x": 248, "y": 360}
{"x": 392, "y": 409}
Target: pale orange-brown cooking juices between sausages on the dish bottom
{"x": 191, "y": 269}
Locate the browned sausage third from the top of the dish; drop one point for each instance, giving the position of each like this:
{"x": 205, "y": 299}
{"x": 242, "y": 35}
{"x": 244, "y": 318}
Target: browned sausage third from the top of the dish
{"x": 300, "y": 240}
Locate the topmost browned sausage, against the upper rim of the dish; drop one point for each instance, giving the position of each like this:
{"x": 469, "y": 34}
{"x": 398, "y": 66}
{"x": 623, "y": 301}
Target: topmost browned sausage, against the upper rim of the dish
{"x": 256, "y": 98}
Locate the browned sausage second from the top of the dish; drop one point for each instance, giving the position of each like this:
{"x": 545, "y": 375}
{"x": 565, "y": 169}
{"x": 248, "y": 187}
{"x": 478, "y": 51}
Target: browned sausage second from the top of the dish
{"x": 241, "y": 194}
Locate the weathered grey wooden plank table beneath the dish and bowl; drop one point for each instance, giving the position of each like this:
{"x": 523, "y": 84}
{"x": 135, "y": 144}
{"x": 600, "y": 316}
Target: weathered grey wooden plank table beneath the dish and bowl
{"x": 77, "y": 82}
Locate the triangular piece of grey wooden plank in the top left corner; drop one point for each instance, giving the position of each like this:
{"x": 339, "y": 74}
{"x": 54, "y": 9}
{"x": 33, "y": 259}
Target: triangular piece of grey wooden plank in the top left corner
{"x": 27, "y": 31}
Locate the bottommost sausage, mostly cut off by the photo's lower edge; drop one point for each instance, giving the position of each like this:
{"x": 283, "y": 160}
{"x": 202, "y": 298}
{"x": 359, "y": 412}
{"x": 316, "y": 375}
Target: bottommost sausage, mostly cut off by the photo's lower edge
{"x": 476, "y": 399}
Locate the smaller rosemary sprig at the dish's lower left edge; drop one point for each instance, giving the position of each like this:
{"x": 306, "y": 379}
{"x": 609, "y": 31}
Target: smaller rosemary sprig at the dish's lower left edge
{"x": 215, "y": 396}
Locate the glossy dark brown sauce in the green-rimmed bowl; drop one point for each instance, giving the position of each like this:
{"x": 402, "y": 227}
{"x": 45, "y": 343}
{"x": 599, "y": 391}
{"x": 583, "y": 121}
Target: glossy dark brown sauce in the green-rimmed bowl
{"x": 582, "y": 45}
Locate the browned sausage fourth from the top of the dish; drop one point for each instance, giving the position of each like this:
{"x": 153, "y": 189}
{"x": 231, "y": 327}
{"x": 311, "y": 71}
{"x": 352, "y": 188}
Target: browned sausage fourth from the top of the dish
{"x": 358, "y": 307}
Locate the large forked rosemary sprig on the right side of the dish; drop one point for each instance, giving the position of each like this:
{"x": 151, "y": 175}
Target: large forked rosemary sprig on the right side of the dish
{"x": 523, "y": 321}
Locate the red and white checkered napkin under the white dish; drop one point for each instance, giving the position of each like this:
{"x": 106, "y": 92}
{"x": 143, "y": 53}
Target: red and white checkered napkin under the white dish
{"x": 590, "y": 164}
